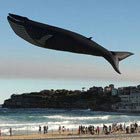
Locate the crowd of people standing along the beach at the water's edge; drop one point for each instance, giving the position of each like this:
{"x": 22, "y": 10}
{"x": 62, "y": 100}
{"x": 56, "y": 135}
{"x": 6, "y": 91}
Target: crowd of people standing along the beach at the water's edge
{"x": 91, "y": 129}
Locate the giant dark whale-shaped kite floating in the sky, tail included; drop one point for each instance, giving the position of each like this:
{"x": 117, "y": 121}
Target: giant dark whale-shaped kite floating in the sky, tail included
{"x": 51, "y": 37}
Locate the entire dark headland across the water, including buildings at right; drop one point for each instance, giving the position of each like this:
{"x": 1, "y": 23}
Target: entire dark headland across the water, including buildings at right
{"x": 109, "y": 98}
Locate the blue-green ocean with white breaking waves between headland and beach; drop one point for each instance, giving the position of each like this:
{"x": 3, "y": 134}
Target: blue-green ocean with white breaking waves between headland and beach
{"x": 26, "y": 121}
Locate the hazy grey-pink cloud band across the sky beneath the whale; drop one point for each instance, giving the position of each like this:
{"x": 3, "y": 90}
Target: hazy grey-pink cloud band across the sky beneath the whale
{"x": 69, "y": 71}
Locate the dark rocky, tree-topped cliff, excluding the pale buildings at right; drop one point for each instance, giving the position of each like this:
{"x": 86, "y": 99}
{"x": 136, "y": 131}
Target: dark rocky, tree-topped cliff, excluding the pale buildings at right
{"x": 62, "y": 99}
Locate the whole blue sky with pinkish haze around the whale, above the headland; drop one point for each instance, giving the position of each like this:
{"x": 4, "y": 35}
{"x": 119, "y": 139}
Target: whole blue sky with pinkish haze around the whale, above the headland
{"x": 113, "y": 24}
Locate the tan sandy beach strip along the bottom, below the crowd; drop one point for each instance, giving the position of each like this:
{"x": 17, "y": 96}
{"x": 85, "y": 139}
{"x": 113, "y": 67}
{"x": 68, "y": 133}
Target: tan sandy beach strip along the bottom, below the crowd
{"x": 55, "y": 135}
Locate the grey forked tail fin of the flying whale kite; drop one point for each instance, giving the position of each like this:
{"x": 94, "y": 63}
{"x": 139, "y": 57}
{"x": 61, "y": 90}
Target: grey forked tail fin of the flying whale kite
{"x": 118, "y": 56}
